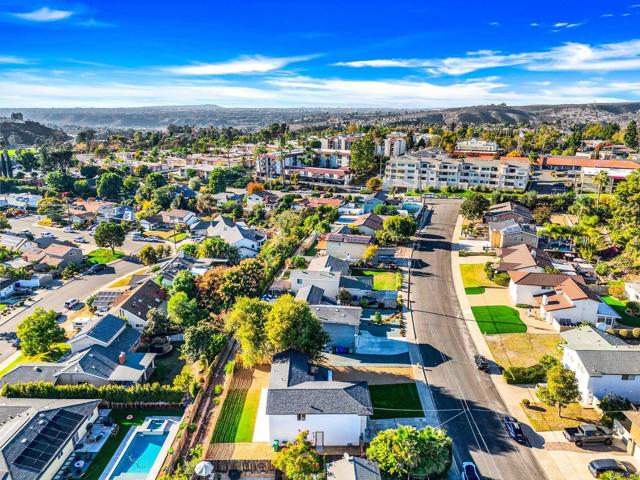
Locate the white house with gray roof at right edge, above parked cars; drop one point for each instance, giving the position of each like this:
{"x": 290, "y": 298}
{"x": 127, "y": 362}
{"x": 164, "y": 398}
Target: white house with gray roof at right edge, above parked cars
{"x": 603, "y": 364}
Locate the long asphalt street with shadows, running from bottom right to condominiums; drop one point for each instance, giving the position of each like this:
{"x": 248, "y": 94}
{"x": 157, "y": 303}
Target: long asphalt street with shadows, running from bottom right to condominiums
{"x": 468, "y": 404}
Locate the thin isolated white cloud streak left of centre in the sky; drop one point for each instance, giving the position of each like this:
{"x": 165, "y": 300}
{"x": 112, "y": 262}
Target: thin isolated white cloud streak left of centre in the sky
{"x": 242, "y": 65}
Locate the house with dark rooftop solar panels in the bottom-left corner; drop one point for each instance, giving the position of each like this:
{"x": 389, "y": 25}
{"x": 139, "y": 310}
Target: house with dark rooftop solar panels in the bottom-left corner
{"x": 38, "y": 435}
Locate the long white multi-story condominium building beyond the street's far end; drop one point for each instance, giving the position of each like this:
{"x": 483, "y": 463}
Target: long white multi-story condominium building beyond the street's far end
{"x": 429, "y": 169}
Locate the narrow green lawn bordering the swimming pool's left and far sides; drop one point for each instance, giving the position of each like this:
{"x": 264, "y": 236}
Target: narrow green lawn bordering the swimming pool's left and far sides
{"x": 109, "y": 448}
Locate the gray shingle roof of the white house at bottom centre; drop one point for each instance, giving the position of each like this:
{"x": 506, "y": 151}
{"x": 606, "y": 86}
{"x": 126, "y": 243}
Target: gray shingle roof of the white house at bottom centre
{"x": 297, "y": 387}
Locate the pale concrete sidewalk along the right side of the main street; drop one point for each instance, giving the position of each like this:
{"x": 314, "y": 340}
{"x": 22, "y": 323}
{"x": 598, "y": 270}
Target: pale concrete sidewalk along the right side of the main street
{"x": 511, "y": 395}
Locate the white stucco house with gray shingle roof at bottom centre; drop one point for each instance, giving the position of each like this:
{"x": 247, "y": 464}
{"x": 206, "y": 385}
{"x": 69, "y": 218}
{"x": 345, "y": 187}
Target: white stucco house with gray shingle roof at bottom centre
{"x": 302, "y": 396}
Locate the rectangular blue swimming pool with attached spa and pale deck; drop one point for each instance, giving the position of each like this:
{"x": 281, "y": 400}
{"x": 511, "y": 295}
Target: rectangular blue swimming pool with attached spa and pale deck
{"x": 143, "y": 450}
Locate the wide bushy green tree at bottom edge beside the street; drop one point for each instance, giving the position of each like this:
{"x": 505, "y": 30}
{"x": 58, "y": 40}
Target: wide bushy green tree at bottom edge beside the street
{"x": 405, "y": 450}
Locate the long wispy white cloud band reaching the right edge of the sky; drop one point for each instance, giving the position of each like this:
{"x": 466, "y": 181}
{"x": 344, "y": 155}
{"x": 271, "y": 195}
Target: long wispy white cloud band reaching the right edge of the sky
{"x": 567, "y": 57}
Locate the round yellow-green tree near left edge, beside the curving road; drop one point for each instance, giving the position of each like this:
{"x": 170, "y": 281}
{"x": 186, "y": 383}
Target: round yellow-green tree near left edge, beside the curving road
{"x": 39, "y": 331}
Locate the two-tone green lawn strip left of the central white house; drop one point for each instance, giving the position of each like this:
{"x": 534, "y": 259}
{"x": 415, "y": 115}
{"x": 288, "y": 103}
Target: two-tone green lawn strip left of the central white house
{"x": 238, "y": 416}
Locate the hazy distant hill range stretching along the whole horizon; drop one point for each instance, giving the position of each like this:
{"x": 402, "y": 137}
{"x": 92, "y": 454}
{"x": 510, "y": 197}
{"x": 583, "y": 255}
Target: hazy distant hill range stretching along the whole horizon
{"x": 253, "y": 118}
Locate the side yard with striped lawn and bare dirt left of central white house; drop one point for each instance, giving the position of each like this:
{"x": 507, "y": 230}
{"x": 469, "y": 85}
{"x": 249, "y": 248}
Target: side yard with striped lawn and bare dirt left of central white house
{"x": 240, "y": 408}
